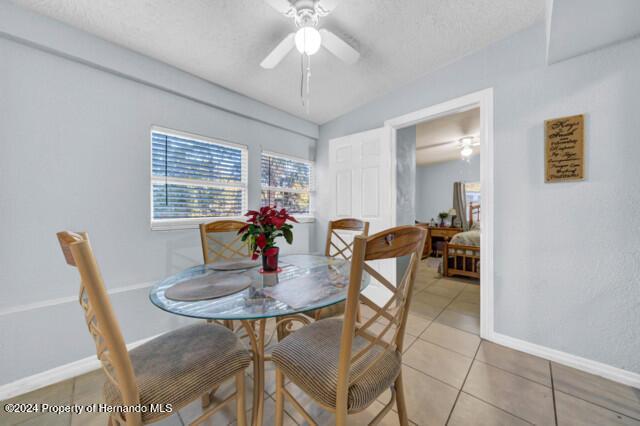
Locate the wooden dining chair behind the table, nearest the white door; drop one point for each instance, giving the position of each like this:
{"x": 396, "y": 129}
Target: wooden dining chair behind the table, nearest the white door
{"x": 336, "y": 246}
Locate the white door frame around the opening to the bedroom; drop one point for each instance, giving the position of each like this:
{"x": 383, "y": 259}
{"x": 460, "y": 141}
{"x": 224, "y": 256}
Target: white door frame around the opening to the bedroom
{"x": 484, "y": 100}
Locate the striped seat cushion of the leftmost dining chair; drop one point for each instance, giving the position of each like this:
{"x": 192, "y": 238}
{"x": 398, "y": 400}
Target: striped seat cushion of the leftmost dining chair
{"x": 180, "y": 366}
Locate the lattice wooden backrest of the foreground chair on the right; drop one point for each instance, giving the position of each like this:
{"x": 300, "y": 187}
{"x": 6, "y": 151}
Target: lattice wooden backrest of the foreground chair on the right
{"x": 388, "y": 244}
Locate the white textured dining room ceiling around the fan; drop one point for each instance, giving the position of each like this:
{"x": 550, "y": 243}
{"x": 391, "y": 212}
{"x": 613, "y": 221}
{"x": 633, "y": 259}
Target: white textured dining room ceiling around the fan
{"x": 224, "y": 41}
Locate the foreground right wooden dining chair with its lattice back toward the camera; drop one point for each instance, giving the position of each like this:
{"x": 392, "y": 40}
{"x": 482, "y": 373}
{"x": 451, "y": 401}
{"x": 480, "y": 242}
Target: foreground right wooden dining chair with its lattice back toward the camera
{"x": 345, "y": 365}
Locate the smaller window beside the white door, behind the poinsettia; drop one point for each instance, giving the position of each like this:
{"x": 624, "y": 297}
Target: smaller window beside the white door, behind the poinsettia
{"x": 287, "y": 182}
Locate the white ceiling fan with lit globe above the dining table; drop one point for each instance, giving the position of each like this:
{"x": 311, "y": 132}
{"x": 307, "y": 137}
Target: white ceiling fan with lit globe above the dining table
{"x": 308, "y": 39}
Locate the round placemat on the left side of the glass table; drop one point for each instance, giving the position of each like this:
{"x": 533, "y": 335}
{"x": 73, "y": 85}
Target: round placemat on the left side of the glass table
{"x": 211, "y": 286}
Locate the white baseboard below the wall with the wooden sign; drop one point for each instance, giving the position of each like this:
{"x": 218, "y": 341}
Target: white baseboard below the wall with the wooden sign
{"x": 619, "y": 375}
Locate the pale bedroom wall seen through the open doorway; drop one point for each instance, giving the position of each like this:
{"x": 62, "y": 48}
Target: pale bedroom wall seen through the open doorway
{"x": 434, "y": 185}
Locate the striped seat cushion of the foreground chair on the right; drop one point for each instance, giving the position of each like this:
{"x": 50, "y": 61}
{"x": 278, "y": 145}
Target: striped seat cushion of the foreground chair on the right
{"x": 309, "y": 357}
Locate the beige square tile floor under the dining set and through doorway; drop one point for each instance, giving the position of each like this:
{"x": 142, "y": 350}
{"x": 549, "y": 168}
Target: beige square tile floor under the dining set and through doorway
{"x": 451, "y": 377}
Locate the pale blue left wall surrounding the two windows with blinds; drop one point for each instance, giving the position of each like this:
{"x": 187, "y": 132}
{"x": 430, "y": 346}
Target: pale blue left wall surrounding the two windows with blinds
{"x": 74, "y": 154}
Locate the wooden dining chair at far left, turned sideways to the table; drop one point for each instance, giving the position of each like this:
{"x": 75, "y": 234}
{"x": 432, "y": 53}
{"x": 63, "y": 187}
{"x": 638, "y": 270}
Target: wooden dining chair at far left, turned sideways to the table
{"x": 175, "y": 368}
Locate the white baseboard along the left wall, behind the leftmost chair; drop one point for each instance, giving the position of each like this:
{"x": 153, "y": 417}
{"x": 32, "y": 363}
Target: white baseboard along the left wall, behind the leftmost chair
{"x": 56, "y": 375}
